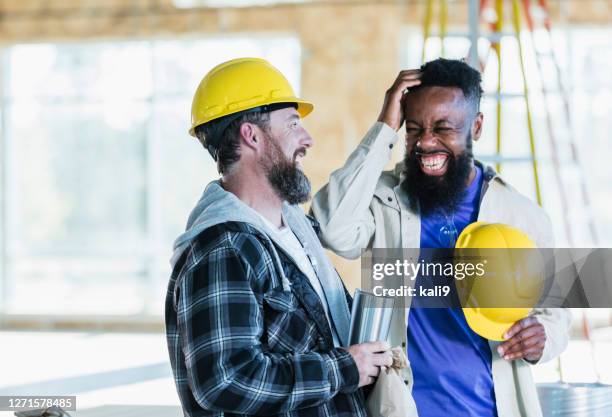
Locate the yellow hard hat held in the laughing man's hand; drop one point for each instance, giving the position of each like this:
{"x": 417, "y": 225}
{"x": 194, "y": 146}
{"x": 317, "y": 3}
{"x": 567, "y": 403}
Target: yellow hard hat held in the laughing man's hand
{"x": 521, "y": 283}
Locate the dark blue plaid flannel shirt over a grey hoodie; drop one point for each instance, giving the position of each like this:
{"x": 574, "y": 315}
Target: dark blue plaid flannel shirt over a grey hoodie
{"x": 242, "y": 343}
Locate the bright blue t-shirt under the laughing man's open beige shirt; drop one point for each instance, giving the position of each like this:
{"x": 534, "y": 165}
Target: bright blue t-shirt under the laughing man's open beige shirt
{"x": 450, "y": 363}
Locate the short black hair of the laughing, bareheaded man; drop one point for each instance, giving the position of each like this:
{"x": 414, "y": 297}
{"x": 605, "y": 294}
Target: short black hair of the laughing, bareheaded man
{"x": 453, "y": 73}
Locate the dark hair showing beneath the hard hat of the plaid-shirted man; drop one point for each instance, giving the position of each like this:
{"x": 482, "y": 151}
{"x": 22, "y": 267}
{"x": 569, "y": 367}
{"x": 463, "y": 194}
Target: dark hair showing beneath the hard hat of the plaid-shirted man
{"x": 228, "y": 151}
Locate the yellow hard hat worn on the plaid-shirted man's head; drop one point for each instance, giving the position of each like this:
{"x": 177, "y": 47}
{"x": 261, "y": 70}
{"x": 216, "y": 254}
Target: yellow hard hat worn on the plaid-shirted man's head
{"x": 238, "y": 85}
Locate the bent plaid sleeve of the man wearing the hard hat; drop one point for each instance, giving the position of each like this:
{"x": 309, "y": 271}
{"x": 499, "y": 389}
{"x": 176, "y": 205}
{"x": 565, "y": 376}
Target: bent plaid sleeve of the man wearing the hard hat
{"x": 221, "y": 324}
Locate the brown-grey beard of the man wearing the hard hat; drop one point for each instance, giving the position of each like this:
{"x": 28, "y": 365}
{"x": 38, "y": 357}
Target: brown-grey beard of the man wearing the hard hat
{"x": 288, "y": 181}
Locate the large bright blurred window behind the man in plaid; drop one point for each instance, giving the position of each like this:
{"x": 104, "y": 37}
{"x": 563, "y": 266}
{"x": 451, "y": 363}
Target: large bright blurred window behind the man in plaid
{"x": 99, "y": 171}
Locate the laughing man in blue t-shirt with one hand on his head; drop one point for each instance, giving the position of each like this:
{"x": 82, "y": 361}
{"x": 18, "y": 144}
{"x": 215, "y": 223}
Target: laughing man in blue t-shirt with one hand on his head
{"x": 426, "y": 202}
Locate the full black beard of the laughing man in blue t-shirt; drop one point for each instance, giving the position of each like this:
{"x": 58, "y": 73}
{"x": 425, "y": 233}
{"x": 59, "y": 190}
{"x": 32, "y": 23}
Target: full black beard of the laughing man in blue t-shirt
{"x": 436, "y": 193}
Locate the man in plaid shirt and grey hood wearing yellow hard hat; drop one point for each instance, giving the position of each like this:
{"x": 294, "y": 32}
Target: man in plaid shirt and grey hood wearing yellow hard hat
{"x": 257, "y": 318}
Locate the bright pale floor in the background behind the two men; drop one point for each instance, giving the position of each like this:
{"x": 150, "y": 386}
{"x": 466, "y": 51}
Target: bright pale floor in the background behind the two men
{"x": 129, "y": 374}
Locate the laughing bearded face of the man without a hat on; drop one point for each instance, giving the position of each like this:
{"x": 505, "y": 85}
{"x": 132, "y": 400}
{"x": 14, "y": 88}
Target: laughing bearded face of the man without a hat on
{"x": 441, "y": 126}
